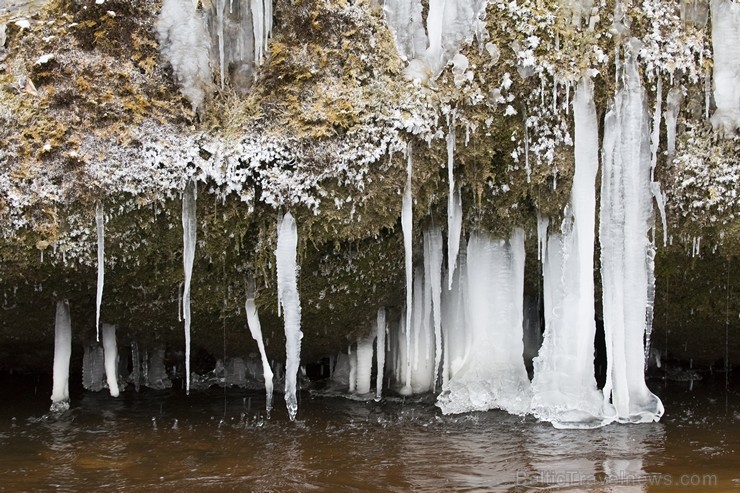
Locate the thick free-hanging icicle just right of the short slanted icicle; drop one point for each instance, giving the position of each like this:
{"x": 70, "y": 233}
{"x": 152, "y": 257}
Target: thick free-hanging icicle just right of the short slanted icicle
{"x": 287, "y": 280}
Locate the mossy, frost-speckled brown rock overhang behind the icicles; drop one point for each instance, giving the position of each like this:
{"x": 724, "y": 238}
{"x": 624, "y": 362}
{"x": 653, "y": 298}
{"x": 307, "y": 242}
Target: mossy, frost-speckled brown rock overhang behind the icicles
{"x": 310, "y": 108}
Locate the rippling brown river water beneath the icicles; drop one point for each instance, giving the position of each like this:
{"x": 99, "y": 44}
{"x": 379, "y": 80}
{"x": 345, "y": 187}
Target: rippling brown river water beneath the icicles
{"x": 220, "y": 440}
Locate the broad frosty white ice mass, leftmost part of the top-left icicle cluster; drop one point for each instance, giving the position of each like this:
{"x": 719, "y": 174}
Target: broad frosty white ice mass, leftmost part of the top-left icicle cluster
{"x": 184, "y": 42}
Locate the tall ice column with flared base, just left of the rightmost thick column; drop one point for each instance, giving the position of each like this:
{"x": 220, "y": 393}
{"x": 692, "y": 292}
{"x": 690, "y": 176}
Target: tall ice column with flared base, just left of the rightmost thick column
{"x": 564, "y": 389}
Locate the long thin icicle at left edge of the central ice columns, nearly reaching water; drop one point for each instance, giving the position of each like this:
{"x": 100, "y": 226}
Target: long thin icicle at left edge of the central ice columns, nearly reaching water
{"x": 408, "y": 234}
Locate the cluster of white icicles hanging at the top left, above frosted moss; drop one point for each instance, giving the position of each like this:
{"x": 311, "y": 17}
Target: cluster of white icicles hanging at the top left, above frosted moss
{"x": 228, "y": 36}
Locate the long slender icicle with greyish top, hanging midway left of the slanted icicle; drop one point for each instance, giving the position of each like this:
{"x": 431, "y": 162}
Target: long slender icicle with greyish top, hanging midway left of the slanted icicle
{"x": 189, "y": 238}
